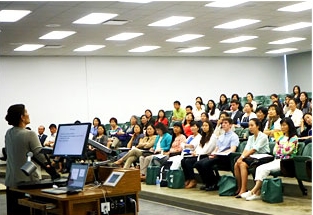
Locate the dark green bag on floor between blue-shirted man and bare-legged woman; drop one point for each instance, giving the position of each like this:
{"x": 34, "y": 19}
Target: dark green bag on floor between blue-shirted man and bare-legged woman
{"x": 227, "y": 185}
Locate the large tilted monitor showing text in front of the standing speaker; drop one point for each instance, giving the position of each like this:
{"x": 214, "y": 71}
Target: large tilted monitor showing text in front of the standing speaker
{"x": 71, "y": 139}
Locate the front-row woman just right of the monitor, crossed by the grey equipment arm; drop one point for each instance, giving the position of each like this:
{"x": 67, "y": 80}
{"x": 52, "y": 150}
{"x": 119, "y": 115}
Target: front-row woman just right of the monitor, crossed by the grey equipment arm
{"x": 102, "y": 138}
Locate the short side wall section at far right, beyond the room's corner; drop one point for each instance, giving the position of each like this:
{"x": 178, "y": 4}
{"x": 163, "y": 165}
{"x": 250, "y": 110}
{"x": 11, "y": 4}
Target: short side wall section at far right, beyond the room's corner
{"x": 300, "y": 71}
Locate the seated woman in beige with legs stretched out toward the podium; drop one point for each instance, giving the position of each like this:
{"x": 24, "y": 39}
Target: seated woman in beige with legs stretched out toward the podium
{"x": 145, "y": 143}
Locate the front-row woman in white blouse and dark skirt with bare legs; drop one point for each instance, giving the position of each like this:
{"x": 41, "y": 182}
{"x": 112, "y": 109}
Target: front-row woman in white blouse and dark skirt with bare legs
{"x": 257, "y": 144}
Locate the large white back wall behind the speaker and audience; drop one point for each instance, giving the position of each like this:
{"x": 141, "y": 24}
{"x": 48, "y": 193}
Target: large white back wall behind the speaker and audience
{"x": 64, "y": 89}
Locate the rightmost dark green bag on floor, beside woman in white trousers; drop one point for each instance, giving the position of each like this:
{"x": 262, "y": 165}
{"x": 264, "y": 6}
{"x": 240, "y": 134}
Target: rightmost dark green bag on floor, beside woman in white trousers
{"x": 272, "y": 190}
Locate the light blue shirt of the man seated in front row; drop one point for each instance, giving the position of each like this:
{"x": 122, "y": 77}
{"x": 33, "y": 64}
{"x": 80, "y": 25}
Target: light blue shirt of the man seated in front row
{"x": 225, "y": 141}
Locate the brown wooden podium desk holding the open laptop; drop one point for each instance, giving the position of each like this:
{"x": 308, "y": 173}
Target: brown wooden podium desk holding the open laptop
{"x": 92, "y": 199}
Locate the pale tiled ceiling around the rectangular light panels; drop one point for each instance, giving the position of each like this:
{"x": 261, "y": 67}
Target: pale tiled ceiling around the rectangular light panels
{"x": 34, "y": 25}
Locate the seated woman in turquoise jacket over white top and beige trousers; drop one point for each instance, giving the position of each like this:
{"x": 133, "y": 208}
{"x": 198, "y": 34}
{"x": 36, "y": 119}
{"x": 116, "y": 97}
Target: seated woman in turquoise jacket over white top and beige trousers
{"x": 162, "y": 144}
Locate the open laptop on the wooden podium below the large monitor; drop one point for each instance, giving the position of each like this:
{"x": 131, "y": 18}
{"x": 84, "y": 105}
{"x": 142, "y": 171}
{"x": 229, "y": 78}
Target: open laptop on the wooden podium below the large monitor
{"x": 75, "y": 183}
